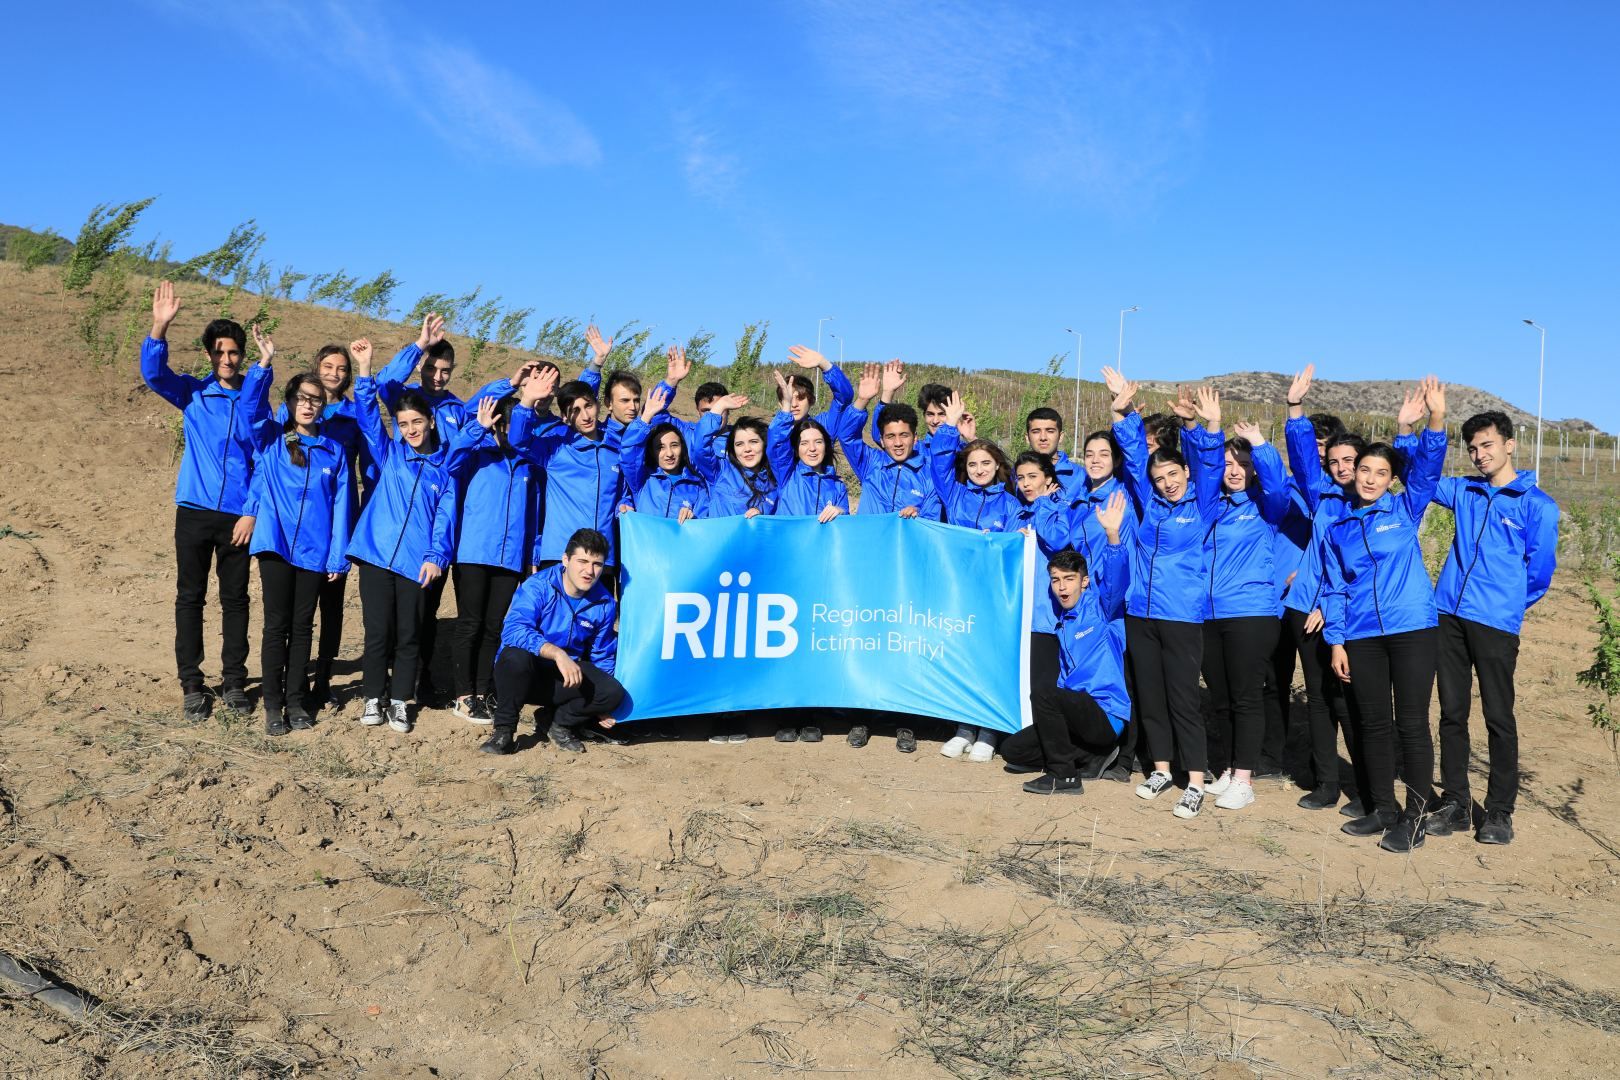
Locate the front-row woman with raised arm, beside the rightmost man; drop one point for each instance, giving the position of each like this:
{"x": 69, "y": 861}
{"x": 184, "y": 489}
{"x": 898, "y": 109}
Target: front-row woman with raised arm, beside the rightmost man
{"x": 1381, "y": 621}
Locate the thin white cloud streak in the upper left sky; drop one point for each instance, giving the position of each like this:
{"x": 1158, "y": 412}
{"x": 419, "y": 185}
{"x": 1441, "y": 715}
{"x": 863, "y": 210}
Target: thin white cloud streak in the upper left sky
{"x": 474, "y": 106}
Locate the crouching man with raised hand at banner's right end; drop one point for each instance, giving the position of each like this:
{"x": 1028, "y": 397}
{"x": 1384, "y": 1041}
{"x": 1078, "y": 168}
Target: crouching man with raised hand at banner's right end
{"x": 1086, "y": 710}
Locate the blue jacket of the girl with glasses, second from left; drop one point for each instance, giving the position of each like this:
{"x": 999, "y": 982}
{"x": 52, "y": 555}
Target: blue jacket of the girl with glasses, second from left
{"x": 301, "y": 512}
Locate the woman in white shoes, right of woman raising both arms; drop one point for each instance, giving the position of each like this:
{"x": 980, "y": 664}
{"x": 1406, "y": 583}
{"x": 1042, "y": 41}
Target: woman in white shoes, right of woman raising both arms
{"x": 1243, "y": 610}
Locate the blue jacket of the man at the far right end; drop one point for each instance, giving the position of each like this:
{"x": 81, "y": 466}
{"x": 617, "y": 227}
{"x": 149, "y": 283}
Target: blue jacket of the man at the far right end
{"x": 1504, "y": 553}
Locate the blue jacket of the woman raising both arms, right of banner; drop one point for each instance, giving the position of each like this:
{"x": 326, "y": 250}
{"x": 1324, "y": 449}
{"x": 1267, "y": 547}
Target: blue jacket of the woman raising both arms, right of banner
{"x": 1167, "y": 559}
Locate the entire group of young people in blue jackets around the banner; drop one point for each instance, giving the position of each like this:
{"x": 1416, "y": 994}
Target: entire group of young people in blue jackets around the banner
{"x": 1175, "y": 551}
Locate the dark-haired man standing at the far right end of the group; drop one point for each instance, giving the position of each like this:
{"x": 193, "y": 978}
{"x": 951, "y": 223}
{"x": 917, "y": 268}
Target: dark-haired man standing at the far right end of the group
{"x": 1501, "y": 564}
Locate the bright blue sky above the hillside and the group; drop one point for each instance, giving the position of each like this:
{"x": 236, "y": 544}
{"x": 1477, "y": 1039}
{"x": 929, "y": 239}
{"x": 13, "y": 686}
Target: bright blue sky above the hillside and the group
{"x": 1383, "y": 189}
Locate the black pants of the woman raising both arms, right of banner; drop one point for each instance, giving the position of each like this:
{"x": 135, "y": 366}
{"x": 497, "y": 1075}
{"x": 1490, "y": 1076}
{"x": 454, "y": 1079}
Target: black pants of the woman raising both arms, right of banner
{"x": 1167, "y": 658}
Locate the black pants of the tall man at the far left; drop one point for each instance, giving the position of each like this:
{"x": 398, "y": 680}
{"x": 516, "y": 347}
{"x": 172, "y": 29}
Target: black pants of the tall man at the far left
{"x": 203, "y": 540}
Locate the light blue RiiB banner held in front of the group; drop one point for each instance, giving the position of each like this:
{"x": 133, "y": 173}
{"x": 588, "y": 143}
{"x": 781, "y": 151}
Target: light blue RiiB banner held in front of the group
{"x": 866, "y": 613}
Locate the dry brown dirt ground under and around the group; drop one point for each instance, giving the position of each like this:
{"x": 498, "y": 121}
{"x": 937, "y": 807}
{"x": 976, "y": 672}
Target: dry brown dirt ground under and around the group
{"x": 359, "y": 903}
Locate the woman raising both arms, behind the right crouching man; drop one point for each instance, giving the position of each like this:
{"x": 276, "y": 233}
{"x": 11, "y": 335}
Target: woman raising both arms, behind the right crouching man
{"x": 1175, "y": 508}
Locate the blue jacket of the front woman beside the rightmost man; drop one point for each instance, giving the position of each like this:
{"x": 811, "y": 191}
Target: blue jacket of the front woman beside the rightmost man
{"x": 1375, "y": 577}
